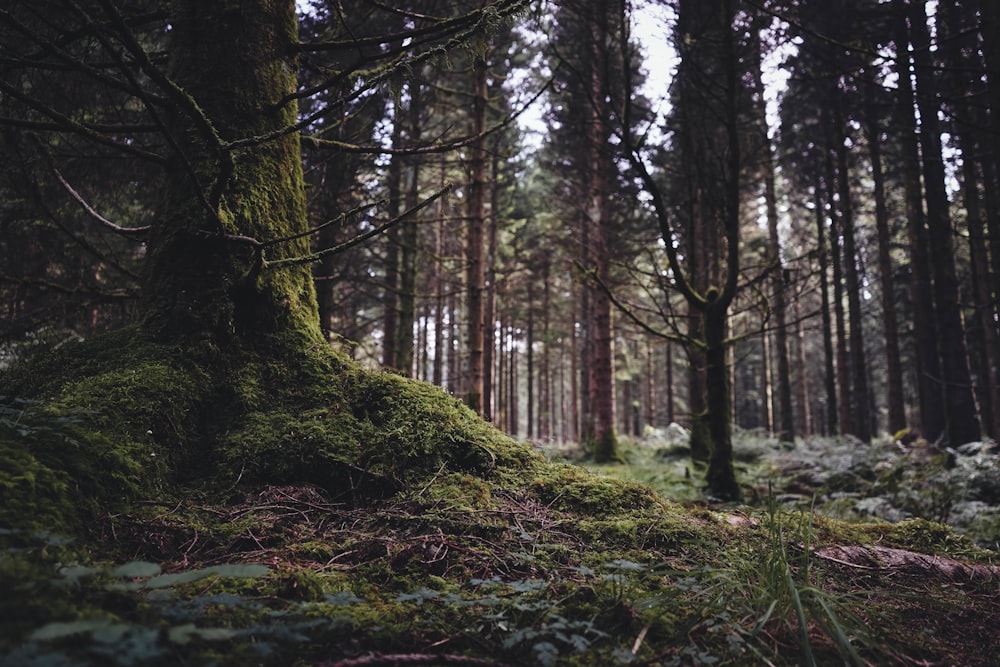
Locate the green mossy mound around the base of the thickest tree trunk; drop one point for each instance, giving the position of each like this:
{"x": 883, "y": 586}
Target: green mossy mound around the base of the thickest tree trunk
{"x": 120, "y": 418}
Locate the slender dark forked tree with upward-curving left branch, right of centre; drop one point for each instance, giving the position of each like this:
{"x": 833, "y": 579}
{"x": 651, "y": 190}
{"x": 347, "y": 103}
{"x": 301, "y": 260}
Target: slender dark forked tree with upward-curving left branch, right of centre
{"x": 709, "y": 88}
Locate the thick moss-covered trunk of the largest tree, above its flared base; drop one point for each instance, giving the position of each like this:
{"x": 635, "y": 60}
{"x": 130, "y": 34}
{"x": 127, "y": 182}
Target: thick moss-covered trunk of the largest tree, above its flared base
{"x": 234, "y": 186}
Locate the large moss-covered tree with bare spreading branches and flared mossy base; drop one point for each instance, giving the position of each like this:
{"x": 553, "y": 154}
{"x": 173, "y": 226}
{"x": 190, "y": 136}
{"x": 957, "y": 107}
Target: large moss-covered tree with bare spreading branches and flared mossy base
{"x": 228, "y": 368}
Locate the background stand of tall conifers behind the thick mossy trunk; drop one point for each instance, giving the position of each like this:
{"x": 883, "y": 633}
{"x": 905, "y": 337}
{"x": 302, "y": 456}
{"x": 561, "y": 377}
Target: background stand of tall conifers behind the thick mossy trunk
{"x": 839, "y": 230}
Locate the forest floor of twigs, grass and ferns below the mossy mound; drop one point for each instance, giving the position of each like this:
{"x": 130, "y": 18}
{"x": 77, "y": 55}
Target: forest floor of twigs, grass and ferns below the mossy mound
{"x": 562, "y": 566}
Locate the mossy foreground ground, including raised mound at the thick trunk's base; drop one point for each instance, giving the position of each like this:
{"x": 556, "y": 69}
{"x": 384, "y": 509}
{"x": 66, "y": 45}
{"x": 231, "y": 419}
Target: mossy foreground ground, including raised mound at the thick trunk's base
{"x": 312, "y": 513}
